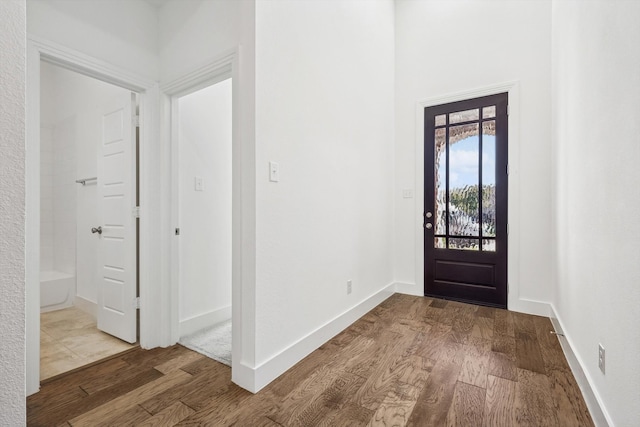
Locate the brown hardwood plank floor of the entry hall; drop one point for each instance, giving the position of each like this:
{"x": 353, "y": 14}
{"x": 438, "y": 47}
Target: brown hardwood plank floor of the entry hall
{"x": 410, "y": 361}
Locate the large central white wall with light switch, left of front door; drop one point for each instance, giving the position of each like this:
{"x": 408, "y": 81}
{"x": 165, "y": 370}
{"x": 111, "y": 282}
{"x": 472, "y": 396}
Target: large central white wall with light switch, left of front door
{"x": 324, "y": 112}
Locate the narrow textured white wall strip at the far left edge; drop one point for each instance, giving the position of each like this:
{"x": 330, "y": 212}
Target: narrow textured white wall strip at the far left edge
{"x": 12, "y": 212}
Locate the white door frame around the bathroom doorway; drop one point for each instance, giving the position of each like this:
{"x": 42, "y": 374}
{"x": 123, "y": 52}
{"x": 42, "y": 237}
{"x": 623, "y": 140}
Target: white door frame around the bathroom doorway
{"x": 151, "y": 295}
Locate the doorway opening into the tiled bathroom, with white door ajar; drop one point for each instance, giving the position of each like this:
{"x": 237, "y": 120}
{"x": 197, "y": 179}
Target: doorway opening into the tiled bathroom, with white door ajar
{"x": 88, "y": 244}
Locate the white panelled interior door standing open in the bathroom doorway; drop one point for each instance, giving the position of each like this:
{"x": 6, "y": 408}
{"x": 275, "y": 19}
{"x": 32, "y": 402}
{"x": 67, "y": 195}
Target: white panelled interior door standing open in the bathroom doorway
{"x": 117, "y": 284}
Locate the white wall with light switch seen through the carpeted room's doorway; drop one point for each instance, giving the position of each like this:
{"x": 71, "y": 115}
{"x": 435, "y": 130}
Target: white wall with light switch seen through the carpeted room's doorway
{"x": 205, "y": 216}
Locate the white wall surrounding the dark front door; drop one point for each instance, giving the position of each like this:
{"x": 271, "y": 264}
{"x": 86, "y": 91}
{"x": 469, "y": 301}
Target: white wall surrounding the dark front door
{"x": 445, "y": 47}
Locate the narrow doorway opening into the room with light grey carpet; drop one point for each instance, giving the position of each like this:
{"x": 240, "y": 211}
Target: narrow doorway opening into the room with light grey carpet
{"x": 202, "y": 138}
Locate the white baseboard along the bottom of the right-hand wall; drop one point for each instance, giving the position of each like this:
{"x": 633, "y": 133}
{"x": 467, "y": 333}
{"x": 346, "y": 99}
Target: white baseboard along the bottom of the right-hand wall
{"x": 594, "y": 403}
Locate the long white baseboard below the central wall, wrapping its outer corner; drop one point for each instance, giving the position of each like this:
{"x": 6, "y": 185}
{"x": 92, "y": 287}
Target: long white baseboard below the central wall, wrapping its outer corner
{"x": 254, "y": 379}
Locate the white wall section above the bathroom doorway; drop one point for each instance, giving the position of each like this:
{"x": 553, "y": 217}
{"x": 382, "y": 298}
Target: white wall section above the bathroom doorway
{"x": 122, "y": 33}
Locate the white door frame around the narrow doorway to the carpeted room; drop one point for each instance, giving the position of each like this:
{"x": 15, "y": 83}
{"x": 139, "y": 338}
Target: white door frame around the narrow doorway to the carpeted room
{"x": 221, "y": 68}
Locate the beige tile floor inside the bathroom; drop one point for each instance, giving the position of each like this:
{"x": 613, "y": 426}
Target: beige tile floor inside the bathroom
{"x": 69, "y": 339}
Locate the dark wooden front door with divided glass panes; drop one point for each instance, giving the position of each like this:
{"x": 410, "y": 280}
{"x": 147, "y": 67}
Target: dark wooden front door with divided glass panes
{"x": 465, "y": 201}
